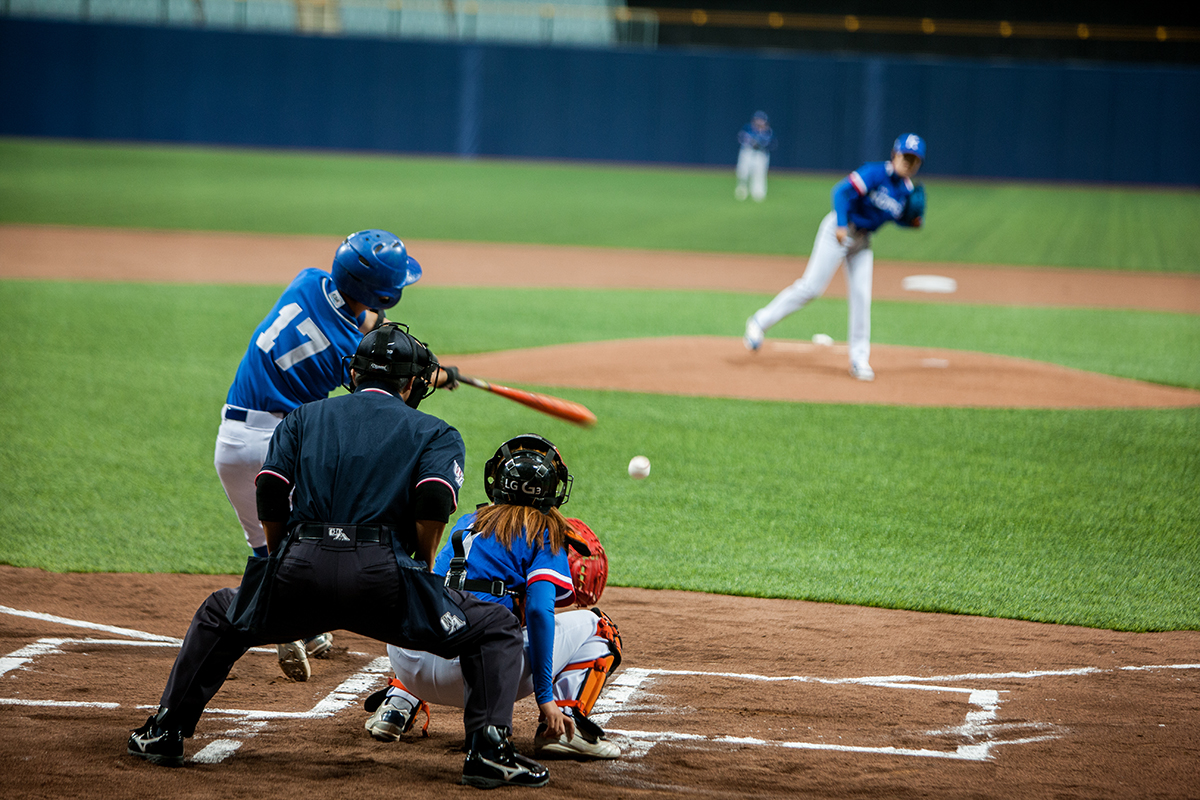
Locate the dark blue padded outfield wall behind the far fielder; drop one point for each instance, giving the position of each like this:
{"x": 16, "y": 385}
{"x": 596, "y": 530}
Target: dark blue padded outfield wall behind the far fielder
{"x": 1022, "y": 121}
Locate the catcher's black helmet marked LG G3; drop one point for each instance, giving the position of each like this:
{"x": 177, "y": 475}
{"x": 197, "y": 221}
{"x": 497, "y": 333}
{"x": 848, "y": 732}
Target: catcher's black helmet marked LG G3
{"x": 527, "y": 471}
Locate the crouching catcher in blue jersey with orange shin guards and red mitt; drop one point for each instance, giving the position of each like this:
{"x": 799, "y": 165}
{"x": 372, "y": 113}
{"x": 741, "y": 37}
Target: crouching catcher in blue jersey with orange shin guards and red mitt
{"x": 521, "y": 552}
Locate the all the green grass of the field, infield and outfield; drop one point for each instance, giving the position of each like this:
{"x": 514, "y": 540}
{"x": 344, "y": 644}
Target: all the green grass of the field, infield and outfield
{"x": 110, "y": 392}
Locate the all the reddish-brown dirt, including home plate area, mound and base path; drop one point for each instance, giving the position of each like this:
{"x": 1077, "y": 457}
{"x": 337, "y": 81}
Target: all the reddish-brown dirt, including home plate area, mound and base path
{"x": 718, "y": 697}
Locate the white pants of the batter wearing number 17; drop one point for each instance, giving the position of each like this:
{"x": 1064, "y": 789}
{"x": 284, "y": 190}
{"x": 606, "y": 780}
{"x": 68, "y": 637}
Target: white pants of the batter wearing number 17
{"x": 239, "y": 456}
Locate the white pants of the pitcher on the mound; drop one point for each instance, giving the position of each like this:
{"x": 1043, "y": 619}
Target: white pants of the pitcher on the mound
{"x": 827, "y": 255}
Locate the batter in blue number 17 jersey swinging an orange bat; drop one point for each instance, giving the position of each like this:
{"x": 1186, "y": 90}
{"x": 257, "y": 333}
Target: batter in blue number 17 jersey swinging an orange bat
{"x": 296, "y": 357}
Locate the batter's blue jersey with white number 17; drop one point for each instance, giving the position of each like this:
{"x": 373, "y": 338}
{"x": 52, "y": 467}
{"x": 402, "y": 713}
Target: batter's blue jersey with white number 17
{"x": 296, "y": 353}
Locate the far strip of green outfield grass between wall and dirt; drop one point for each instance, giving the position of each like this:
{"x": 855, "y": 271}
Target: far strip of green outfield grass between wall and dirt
{"x": 578, "y": 204}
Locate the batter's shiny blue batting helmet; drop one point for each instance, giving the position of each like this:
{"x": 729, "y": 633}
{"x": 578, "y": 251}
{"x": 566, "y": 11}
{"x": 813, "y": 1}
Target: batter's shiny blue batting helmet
{"x": 374, "y": 268}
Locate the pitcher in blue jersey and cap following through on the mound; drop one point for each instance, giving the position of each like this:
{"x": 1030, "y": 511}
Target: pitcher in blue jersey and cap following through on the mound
{"x": 869, "y": 197}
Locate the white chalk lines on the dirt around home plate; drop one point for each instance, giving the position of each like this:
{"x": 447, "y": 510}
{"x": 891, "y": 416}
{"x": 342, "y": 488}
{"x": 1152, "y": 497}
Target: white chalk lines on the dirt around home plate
{"x": 617, "y": 699}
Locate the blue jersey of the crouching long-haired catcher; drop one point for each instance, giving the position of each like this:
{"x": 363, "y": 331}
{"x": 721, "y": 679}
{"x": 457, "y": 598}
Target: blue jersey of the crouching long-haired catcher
{"x": 488, "y": 560}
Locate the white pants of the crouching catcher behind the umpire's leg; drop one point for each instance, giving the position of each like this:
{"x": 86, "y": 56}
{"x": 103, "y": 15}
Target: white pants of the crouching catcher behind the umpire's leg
{"x": 439, "y": 681}
